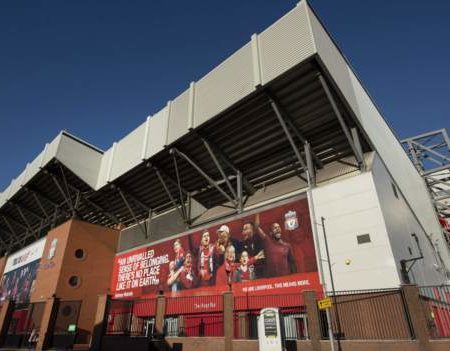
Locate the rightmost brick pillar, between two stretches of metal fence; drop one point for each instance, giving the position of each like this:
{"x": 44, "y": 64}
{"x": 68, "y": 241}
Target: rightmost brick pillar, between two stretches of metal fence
{"x": 416, "y": 315}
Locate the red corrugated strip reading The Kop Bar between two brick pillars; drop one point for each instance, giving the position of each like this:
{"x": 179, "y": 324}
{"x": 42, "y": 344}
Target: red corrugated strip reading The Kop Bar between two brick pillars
{"x": 194, "y": 304}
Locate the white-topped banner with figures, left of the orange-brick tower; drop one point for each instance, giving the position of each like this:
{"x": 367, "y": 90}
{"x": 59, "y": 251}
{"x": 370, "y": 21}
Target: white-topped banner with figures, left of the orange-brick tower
{"x": 20, "y": 273}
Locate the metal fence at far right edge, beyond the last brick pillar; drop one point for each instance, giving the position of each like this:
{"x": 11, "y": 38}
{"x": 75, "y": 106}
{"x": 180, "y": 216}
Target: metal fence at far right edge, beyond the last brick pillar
{"x": 436, "y": 307}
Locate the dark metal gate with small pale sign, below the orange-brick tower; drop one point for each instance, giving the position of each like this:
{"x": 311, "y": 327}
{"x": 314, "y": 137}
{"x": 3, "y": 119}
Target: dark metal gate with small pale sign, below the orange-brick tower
{"x": 65, "y": 329}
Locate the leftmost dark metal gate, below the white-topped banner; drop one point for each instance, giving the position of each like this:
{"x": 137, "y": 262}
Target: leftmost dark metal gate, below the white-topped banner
{"x": 24, "y": 318}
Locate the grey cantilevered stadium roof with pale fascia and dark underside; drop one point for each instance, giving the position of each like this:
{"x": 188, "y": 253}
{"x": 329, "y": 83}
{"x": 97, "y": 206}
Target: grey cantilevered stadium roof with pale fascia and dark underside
{"x": 291, "y": 69}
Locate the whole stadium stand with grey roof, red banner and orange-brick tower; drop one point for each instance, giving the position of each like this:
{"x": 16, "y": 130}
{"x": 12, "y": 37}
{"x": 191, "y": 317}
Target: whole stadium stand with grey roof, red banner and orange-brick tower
{"x": 282, "y": 132}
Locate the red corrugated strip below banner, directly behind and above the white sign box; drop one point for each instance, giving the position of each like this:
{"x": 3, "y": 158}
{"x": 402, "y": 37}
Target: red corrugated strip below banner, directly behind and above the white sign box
{"x": 255, "y": 302}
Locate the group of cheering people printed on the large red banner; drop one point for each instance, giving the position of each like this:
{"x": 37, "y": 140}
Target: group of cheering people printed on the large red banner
{"x": 223, "y": 259}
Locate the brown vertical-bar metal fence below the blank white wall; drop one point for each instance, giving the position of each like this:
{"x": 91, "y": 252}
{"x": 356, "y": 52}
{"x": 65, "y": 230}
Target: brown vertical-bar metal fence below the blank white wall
{"x": 368, "y": 314}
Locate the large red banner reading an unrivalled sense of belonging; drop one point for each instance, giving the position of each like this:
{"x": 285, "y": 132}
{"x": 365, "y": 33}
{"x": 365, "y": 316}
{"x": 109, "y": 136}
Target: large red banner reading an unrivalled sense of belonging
{"x": 269, "y": 252}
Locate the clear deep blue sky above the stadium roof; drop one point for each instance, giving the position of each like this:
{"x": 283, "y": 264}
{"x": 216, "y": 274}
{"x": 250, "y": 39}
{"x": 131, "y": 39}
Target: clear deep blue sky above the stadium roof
{"x": 98, "y": 68}
